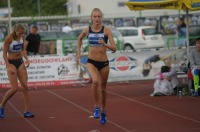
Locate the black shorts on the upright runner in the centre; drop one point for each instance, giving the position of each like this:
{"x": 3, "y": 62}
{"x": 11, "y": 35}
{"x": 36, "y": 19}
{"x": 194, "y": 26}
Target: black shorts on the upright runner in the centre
{"x": 98, "y": 64}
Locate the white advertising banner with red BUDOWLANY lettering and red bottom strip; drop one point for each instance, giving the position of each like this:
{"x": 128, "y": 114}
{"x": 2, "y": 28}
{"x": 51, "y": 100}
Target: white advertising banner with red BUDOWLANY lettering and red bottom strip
{"x": 47, "y": 71}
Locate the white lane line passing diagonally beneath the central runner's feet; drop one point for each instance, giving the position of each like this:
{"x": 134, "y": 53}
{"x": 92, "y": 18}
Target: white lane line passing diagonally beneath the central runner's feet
{"x": 78, "y": 106}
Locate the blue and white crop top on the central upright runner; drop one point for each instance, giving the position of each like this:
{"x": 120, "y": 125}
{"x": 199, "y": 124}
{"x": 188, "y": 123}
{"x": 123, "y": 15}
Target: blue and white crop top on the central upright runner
{"x": 93, "y": 37}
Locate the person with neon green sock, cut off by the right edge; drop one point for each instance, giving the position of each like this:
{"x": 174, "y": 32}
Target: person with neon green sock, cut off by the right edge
{"x": 195, "y": 65}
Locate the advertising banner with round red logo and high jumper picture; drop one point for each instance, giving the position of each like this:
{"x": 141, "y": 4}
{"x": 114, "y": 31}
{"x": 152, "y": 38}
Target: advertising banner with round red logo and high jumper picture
{"x": 144, "y": 65}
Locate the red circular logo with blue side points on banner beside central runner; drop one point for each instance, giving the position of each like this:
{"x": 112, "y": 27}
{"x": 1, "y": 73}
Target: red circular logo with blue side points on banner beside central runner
{"x": 123, "y": 63}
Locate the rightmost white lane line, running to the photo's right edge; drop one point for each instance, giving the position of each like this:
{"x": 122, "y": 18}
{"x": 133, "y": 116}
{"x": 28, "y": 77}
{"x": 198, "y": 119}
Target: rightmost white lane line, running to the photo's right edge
{"x": 153, "y": 107}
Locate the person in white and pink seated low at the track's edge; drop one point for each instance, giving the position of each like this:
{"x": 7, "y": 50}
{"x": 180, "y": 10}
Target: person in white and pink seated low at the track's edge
{"x": 166, "y": 81}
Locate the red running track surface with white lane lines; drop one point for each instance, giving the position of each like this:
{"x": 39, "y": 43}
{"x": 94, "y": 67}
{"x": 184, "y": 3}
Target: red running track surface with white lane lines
{"x": 129, "y": 109}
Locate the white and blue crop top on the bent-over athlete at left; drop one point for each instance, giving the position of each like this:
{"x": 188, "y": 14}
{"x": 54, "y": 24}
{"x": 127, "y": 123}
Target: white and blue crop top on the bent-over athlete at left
{"x": 16, "y": 46}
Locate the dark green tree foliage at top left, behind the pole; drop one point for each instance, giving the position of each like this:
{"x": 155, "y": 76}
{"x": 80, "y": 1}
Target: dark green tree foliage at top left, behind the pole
{"x": 30, "y": 7}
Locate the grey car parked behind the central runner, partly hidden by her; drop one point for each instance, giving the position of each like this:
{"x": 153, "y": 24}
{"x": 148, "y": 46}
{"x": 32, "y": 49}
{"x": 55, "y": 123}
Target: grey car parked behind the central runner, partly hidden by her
{"x": 70, "y": 43}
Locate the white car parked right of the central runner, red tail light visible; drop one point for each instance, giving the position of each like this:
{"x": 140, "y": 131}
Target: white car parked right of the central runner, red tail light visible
{"x": 143, "y": 37}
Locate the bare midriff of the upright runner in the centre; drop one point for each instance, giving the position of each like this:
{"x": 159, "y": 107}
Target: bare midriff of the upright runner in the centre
{"x": 97, "y": 53}
